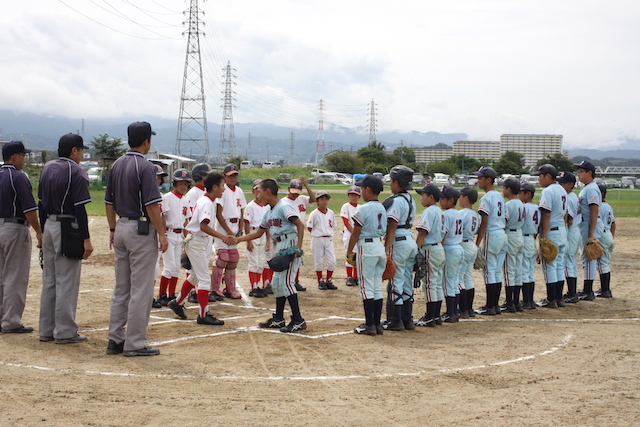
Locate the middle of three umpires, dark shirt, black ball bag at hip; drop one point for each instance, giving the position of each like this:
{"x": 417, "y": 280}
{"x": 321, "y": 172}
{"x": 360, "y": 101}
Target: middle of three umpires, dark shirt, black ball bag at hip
{"x": 62, "y": 194}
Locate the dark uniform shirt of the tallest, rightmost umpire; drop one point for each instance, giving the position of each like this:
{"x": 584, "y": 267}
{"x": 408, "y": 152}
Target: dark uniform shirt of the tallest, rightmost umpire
{"x": 132, "y": 185}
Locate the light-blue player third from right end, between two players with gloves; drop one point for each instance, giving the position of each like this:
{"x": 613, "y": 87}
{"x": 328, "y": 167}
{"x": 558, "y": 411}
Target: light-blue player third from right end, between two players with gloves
{"x": 568, "y": 181}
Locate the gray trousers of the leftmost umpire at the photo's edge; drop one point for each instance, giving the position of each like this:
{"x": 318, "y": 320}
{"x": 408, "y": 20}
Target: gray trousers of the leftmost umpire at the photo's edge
{"x": 15, "y": 260}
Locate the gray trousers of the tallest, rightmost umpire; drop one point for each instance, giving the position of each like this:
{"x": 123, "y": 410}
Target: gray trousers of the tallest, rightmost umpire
{"x": 135, "y": 264}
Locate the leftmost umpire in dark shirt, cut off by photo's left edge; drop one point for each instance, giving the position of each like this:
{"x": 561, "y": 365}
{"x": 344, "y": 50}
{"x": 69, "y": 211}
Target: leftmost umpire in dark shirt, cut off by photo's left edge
{"x": 17, "y": 212}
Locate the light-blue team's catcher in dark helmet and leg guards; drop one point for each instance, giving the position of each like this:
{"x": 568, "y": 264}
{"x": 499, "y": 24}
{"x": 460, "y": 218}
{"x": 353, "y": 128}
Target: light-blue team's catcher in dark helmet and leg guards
{"x": 402, "y": 248}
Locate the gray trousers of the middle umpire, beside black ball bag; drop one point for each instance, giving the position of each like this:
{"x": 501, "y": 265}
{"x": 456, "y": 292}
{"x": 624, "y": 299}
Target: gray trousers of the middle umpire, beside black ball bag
{"x": 60, "y": 286}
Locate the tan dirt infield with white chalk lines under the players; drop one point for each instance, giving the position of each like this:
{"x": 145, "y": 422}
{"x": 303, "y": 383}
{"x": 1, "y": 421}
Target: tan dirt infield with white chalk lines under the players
{"x": 571, "y": 366}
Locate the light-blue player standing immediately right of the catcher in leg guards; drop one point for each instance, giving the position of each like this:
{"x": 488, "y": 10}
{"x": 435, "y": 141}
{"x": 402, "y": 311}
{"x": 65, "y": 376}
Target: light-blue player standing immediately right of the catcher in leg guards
{"x": 429, "y": 242}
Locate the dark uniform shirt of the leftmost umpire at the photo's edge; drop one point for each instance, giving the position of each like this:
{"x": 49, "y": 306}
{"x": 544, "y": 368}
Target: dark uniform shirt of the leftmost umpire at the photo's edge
{"x": 16, "y": 194}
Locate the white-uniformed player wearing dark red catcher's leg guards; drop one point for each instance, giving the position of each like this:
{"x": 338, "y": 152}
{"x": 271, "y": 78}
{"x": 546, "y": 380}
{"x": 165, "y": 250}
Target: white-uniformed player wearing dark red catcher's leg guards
{"x": 230, "y": 212}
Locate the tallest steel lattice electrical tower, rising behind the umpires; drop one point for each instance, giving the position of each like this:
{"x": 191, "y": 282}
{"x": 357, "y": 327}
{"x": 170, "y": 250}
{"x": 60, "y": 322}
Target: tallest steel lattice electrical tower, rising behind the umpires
{"x": 192, "y": 122}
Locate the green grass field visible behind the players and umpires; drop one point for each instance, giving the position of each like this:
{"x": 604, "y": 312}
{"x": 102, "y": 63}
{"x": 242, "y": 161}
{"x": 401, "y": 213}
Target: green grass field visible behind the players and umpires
{"x": 625, "y": 203}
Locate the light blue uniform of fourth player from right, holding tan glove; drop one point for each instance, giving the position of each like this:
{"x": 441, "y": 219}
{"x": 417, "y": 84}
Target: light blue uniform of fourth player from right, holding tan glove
{"x": 553, "y": 200}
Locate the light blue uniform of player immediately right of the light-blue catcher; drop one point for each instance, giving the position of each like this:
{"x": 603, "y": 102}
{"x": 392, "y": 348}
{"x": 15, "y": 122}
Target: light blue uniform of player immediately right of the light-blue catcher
{"x": 432, "y": 221}
